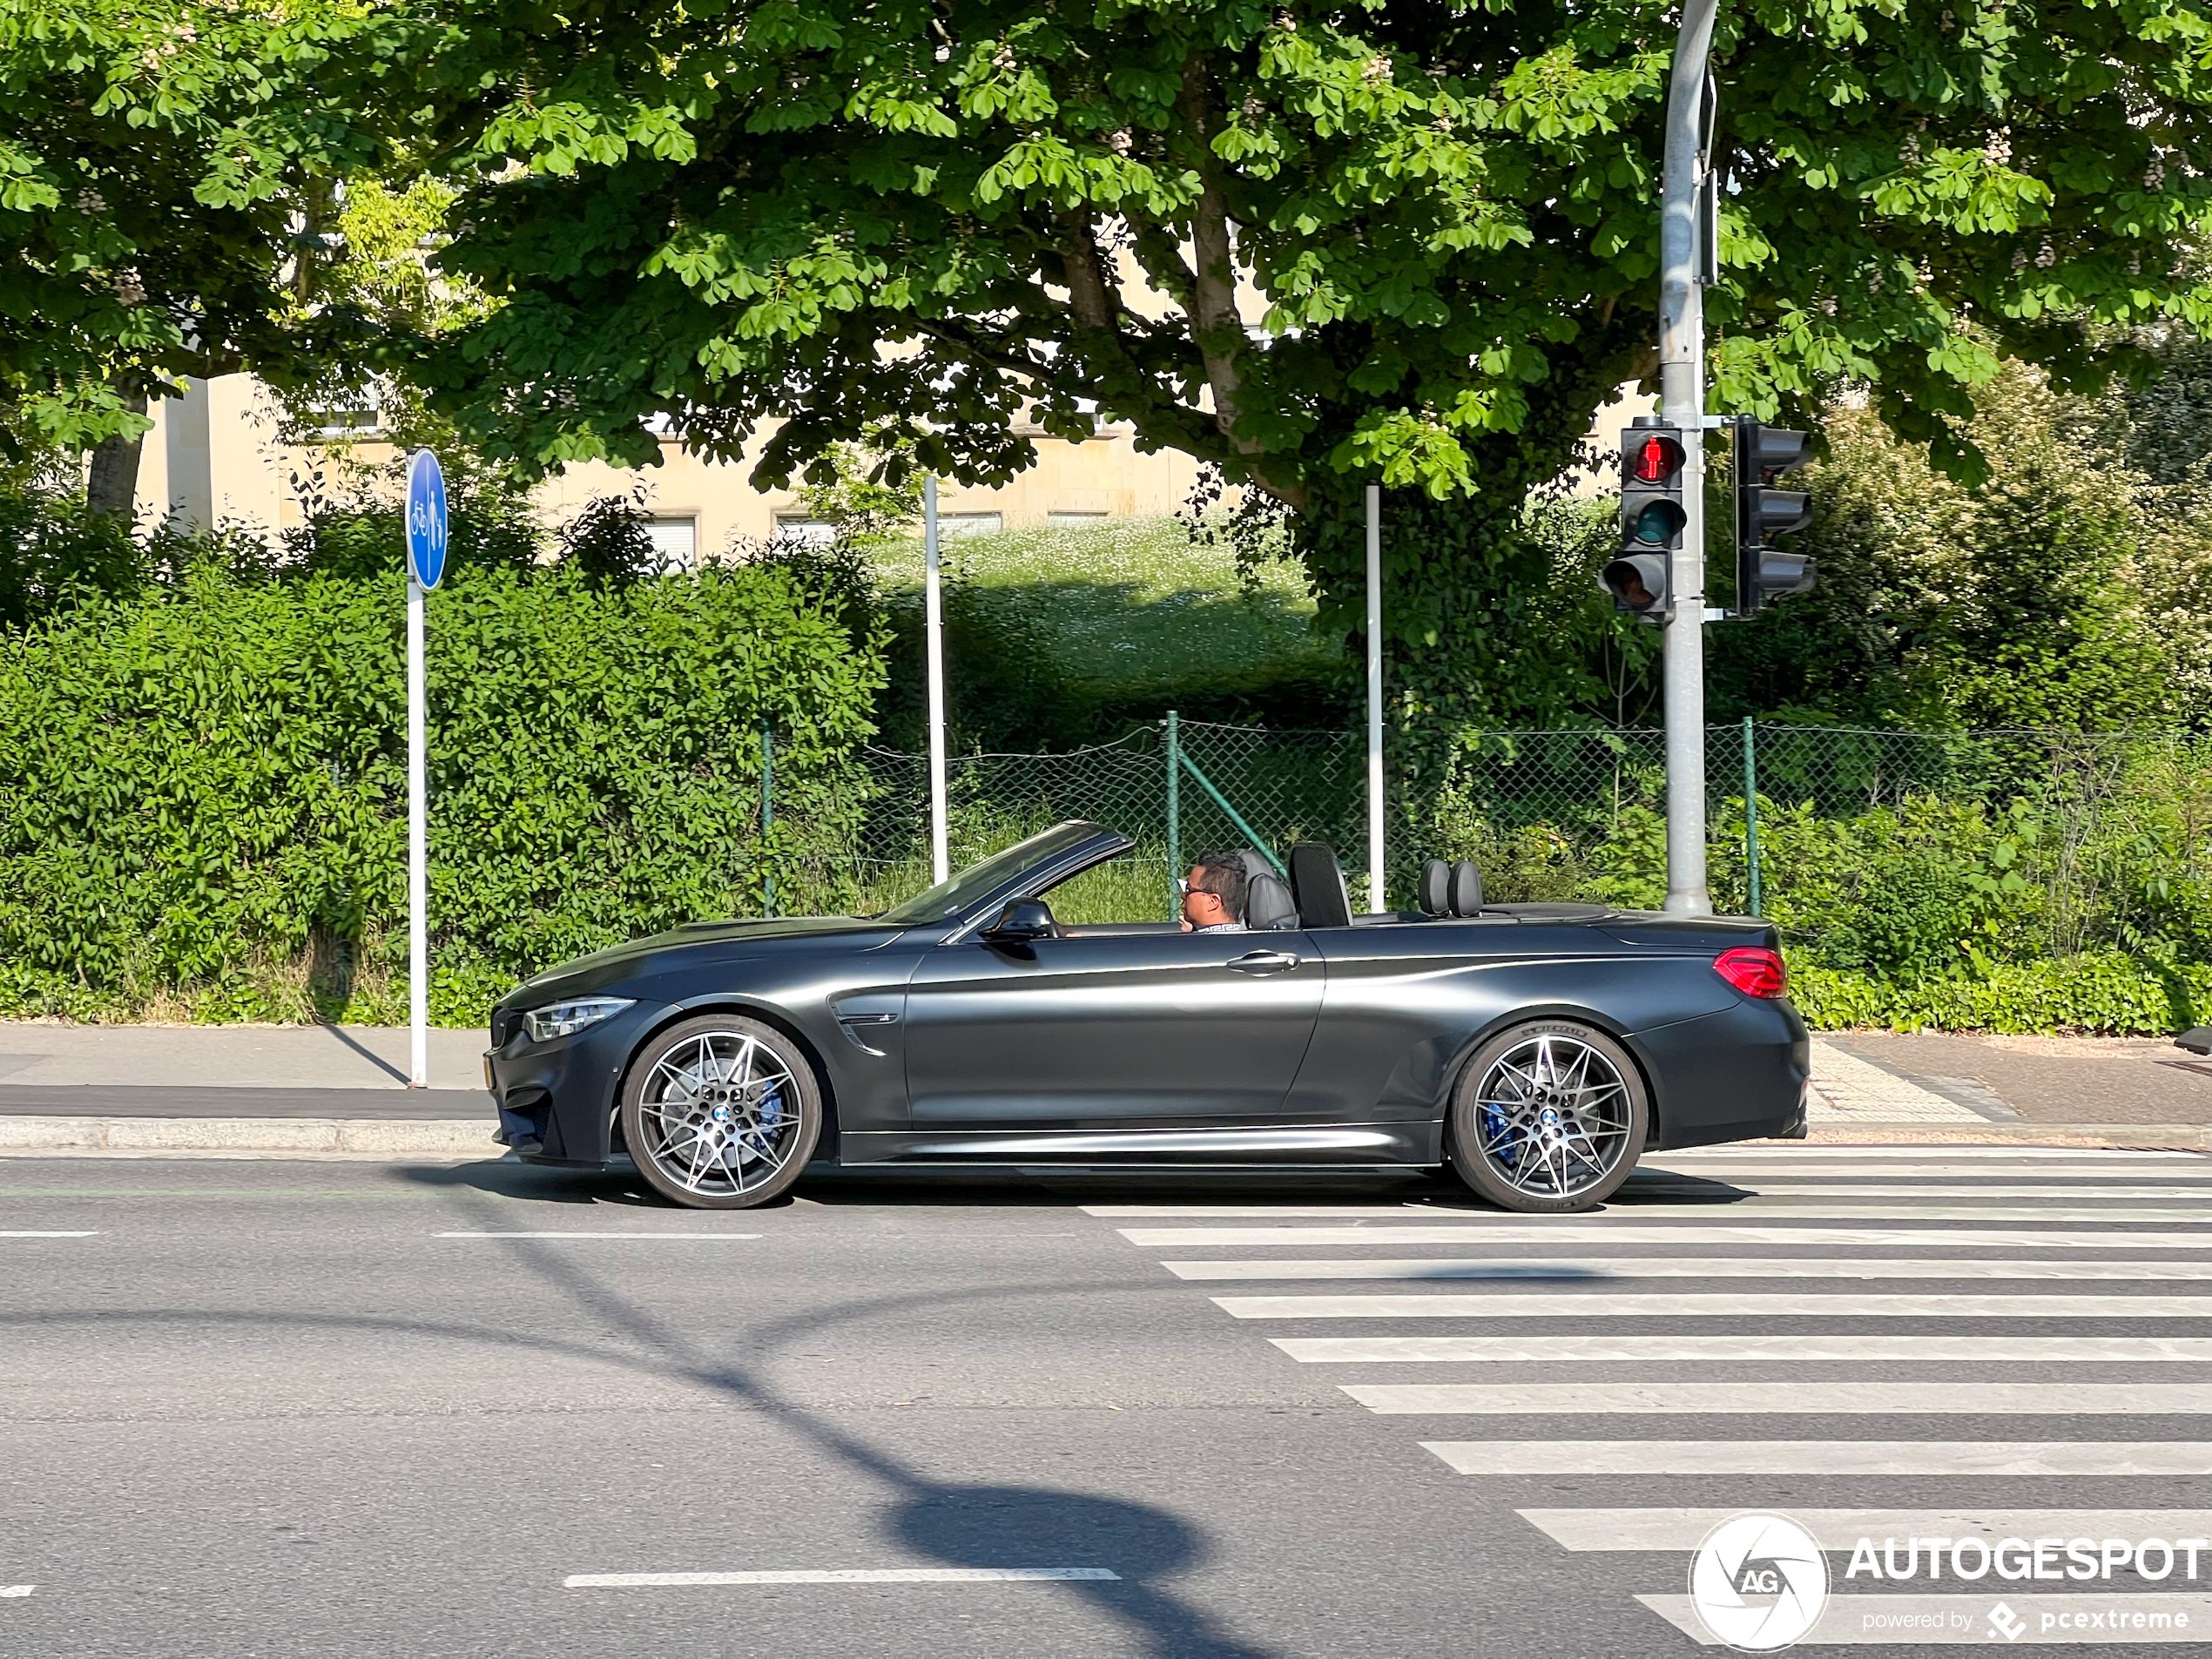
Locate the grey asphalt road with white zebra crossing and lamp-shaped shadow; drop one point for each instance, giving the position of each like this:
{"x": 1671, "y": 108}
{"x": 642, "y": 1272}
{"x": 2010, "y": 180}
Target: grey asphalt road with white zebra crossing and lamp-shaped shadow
{"x": 284, "y": 1408}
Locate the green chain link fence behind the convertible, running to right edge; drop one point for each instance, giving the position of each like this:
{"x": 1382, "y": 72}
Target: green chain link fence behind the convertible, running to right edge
{"x": 2060, "y": 842}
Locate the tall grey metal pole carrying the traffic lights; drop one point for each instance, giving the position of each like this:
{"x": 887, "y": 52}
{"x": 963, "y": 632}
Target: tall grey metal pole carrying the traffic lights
{"x": 1682, "y": 404}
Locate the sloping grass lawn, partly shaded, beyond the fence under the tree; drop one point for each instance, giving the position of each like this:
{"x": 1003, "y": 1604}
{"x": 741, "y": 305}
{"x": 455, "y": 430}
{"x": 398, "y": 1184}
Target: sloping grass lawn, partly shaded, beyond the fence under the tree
{"x": 1131, "y": 605}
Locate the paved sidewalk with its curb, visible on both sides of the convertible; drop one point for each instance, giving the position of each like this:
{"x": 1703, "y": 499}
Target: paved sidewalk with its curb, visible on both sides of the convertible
{"x": 342, "y": 1092}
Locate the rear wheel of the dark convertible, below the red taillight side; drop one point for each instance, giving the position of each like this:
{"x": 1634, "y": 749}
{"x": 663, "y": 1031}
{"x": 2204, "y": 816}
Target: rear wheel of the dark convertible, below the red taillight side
{"x": 1550, "y": 1118}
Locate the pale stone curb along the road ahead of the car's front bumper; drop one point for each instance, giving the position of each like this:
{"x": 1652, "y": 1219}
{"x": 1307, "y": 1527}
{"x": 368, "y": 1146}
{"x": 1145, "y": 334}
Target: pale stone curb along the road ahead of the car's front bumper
{"x": 368, "y": 1138}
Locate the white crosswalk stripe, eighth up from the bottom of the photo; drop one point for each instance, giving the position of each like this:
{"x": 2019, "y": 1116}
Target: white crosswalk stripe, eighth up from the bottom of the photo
{"x": 1580, "y": 1231}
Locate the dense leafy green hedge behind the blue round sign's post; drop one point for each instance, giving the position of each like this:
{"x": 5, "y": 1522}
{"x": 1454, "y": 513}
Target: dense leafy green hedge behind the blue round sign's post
{"x": 202, "y": 786}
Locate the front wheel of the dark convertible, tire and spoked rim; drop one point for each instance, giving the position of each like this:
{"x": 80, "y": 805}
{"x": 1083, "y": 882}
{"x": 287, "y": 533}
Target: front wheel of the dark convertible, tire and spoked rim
{"x": 722, "y": 1114}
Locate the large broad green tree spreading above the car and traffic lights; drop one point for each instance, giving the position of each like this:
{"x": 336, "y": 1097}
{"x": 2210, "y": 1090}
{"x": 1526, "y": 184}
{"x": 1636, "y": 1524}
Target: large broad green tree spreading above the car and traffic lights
{"x": 1399, "y": 242}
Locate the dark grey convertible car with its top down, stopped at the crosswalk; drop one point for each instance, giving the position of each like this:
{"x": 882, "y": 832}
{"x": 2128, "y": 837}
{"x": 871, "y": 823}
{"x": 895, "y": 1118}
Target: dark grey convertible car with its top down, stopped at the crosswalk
{"x": 1536, "y": 1050}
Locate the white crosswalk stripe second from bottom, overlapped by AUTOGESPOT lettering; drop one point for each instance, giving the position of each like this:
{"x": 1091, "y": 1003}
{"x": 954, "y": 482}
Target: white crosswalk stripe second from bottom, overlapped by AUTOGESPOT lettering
{"x": 1839, "y": 1530}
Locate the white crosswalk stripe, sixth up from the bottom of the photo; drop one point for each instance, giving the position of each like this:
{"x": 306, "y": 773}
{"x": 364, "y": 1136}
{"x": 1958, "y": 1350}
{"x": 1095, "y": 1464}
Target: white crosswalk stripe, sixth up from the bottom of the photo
{"x": 1720, "y": 1304}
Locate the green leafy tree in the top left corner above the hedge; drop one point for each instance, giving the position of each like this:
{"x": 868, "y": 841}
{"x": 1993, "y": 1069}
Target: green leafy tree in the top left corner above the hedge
{"x": 169, "y": 171}
